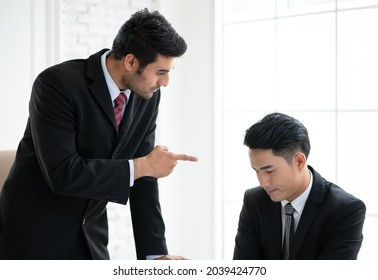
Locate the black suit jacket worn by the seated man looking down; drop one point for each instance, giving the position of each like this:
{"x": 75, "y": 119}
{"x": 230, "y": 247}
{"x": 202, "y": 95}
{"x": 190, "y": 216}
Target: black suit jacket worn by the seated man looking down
{"x": 330, "y": 226}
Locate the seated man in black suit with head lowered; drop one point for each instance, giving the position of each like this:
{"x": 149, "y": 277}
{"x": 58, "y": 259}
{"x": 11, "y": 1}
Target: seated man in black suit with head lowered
{"x": 327, "y": 220}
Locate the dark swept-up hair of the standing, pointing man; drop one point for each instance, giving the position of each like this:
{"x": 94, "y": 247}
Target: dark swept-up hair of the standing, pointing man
{"x": 145, "y": 35}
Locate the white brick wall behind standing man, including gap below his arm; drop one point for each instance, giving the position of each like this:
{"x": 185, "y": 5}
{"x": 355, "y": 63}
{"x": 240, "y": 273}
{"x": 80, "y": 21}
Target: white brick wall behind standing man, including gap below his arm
{"x": 86, "y": 27}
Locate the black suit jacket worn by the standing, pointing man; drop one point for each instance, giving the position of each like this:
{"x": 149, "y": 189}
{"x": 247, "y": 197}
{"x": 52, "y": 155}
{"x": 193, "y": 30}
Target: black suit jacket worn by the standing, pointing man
{"x": 70, "y": 162}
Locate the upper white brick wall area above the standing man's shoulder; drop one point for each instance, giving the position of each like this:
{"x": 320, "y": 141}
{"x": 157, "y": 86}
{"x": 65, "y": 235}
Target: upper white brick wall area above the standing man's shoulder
{"x": 90, "y": 25}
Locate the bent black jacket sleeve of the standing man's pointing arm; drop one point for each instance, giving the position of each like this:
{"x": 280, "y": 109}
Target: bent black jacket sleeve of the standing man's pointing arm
{"x": 53, "y": 128}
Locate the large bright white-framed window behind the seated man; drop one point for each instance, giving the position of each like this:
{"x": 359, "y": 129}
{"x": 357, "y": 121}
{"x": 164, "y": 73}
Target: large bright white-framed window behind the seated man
{"x": 316, "y": 60}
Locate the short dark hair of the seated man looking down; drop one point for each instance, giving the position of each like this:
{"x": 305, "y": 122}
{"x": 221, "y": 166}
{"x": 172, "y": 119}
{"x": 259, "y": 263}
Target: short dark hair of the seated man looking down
{"x": 283, "y": 134}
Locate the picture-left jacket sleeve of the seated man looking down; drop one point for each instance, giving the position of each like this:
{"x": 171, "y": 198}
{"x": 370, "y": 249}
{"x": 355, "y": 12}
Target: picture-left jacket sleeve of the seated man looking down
{"x": 247, "y": 245}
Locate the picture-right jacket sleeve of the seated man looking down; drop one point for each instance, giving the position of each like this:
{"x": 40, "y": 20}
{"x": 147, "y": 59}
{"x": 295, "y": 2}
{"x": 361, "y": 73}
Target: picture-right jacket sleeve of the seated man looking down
{"x": 345, "y": 234}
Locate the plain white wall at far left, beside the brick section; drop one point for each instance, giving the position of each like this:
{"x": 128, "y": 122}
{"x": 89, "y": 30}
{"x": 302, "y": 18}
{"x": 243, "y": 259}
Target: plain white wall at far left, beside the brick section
{"x": 29, "y": 44}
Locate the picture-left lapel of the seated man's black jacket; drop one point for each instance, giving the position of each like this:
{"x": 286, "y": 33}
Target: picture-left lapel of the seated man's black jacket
{"x": 273, "y": 224}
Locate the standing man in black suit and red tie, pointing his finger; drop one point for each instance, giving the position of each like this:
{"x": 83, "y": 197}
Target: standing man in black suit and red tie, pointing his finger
{"x": 82, "y": 148}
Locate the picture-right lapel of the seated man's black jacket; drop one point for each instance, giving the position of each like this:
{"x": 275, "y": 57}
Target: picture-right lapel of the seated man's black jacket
{"x": 310, "y": 211}
